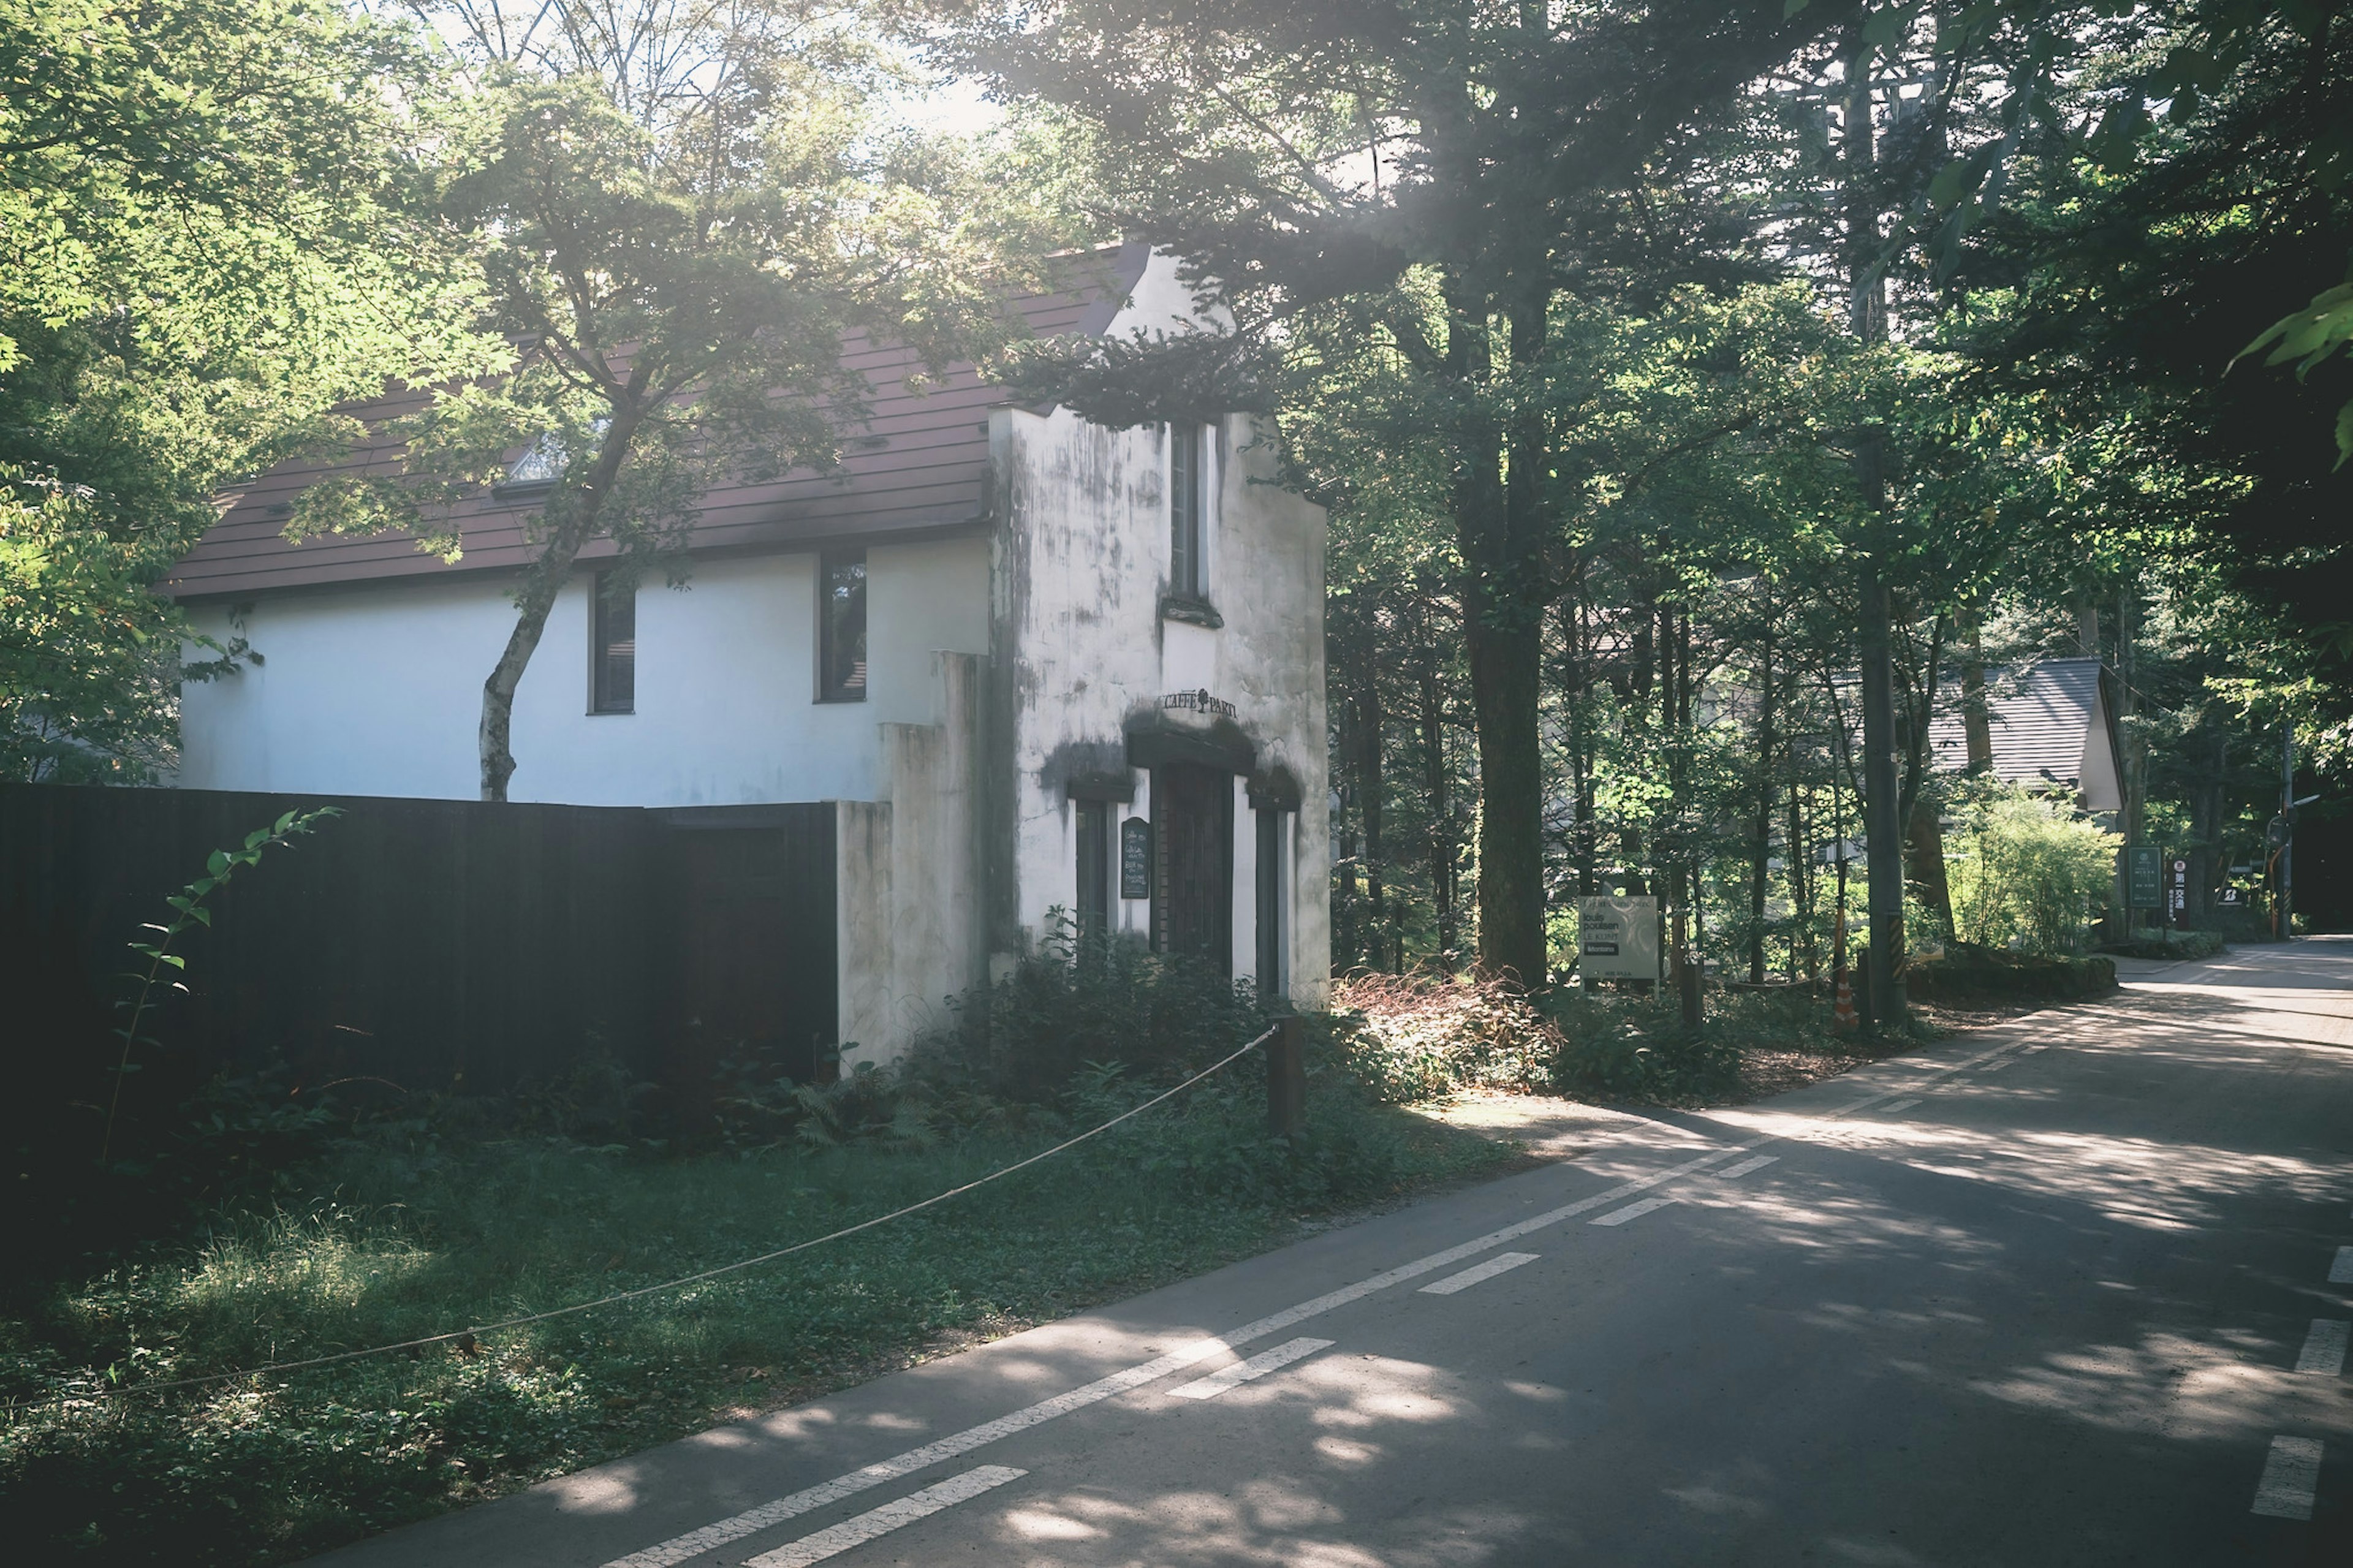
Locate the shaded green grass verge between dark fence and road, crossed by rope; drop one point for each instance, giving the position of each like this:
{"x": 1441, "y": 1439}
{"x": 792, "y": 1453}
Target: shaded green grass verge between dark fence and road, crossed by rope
{"x": 401, "y": 1235}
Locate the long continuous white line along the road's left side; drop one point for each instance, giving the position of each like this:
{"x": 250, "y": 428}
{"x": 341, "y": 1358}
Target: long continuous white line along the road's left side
{"x": 749, "y": 1522}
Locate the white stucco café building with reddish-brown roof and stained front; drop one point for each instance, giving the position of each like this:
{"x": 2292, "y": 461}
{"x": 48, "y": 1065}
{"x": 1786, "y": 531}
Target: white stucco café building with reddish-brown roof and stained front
{"x": 1001, "y": 644}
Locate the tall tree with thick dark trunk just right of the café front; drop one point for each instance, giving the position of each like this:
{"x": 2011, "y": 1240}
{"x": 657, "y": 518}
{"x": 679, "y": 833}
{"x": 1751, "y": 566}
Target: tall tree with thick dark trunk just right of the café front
{"x": 1448, "y": 173}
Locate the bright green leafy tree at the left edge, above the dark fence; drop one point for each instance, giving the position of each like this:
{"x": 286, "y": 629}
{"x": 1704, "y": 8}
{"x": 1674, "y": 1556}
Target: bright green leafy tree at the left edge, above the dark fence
{"x": 208, "y": 237}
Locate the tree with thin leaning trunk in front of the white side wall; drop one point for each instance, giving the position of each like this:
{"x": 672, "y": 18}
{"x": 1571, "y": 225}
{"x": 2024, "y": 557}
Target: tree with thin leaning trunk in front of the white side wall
{"x": 684, "y": 215}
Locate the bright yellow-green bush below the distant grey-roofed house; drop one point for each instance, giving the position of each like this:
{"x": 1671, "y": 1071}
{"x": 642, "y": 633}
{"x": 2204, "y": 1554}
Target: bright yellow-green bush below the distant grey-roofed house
{"x": 2027, "y": 872}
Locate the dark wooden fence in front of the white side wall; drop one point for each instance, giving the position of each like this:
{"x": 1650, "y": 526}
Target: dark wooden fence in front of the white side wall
{"x": 441, "y": 945}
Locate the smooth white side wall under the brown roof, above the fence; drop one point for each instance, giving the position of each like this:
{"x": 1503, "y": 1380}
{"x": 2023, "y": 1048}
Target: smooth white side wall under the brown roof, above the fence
{"x": 378, "y": 691}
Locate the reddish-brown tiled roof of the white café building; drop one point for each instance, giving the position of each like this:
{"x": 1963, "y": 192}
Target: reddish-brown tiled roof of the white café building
{"x": 919, "y": 470}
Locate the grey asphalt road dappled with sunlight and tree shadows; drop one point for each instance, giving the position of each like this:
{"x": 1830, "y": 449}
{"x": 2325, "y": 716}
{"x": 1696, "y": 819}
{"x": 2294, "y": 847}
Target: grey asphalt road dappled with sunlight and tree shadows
{"x": 2053, "y": 1294}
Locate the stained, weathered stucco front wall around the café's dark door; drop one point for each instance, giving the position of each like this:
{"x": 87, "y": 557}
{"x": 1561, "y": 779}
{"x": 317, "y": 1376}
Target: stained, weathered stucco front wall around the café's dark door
{"x": 1084, "y": 649}
